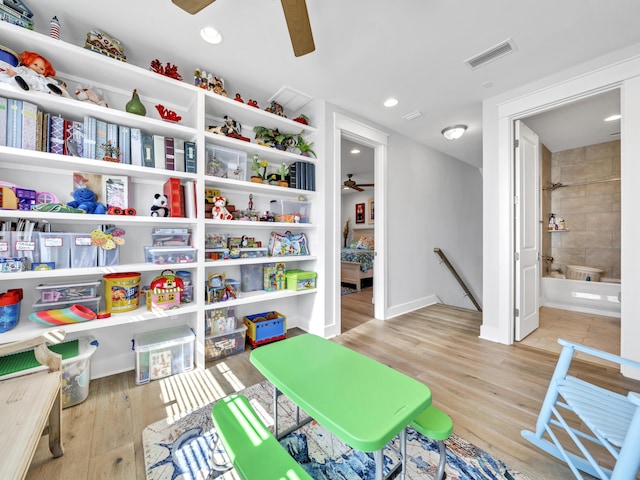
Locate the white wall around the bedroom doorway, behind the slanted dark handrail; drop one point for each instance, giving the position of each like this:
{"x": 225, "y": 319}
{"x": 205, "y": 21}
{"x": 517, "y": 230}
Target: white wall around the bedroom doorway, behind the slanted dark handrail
{"x": 433, "y": 200}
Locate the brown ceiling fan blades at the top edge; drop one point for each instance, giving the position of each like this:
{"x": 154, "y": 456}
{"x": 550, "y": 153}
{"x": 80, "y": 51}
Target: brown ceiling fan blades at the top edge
{"x": 296, "y": 15}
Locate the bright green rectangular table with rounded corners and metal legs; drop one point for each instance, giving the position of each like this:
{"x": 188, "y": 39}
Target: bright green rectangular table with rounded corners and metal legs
{"x": 360, "y": 400}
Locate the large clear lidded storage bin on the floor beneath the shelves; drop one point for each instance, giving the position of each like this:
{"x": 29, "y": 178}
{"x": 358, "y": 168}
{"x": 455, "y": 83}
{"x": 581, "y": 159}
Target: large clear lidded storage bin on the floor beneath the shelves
{"x": 163, "y": 352}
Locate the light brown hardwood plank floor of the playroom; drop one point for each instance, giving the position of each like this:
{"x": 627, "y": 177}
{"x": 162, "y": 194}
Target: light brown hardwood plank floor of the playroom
{"x": 491, "y": 391}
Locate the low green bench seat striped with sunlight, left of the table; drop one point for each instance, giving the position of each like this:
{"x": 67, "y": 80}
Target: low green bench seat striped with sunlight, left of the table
{"x": 250, "y": 446}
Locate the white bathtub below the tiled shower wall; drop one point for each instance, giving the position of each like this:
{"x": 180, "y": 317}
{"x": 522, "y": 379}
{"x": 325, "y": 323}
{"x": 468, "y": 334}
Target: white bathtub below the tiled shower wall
{"x": 598, "y": 298}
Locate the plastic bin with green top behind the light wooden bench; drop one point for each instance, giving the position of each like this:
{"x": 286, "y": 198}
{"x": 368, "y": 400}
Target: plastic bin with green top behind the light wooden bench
{"x": 76, "y": 367}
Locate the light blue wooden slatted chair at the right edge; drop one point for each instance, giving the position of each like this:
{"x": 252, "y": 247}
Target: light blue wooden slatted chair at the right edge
{"x": 608, "y": 419}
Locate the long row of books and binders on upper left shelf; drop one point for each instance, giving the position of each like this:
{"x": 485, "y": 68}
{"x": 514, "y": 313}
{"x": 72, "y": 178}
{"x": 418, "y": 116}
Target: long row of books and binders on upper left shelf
{"x": 23, "y": 125}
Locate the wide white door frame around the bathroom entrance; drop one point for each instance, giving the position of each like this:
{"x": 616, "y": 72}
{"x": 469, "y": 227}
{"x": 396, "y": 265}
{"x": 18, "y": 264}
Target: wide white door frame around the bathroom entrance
{"x": 615, "y": 70}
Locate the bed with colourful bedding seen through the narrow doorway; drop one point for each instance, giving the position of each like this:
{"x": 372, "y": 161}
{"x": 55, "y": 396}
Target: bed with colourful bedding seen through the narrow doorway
{"x": 357, "y": 259}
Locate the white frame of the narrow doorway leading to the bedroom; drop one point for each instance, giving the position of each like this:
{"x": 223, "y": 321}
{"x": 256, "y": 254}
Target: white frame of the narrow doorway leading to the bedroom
{"x": 377, "y": 140}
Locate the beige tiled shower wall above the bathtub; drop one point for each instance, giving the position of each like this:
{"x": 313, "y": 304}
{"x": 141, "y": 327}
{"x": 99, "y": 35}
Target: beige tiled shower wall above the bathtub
{"x": 591, "y": 212}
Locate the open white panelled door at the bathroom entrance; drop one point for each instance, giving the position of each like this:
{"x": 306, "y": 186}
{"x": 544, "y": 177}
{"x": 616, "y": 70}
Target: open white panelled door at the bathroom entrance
{"x": 527, "y": 234}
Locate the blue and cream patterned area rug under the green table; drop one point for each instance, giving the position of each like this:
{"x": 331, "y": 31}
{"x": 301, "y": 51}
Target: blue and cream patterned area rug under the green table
{"x": 180, "y": 449}
